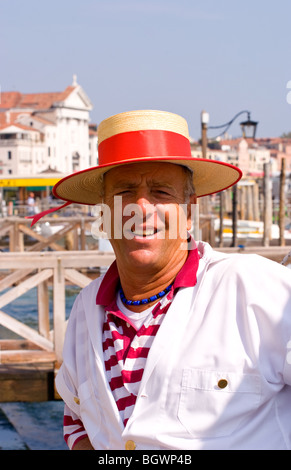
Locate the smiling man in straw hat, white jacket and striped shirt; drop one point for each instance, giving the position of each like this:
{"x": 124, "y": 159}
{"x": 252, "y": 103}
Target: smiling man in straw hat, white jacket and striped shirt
{"x": 176, "y": 346}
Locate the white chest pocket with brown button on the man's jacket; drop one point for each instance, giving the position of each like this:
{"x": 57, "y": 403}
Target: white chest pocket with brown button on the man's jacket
{"x": 214, "y": 403}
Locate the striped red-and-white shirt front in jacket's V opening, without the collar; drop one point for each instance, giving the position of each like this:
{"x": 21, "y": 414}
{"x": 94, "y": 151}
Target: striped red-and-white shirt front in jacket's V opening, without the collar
{"x": 125, "y": 352}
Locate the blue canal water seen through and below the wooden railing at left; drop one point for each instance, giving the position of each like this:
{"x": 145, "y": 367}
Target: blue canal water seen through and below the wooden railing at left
{"x": 32, "y": 426}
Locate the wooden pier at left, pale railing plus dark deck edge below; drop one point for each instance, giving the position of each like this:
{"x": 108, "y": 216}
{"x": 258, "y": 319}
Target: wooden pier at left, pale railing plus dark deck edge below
{"x": 38, "y": 353}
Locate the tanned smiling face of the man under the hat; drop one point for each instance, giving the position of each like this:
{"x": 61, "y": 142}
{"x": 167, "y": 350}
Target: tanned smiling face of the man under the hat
{"x": 152, "y": 198}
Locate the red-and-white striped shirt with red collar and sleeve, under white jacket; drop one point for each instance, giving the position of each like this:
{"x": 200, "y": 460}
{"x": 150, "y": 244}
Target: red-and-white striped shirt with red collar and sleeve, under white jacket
{"x": 127, "y": 342}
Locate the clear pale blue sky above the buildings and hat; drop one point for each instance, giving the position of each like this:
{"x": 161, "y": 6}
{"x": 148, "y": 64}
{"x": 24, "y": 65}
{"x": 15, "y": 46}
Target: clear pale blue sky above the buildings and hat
{"x": 221, "y": 56}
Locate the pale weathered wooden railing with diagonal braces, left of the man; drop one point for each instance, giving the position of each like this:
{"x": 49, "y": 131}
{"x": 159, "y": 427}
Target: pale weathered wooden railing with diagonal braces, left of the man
{"x": 23, "y": 271}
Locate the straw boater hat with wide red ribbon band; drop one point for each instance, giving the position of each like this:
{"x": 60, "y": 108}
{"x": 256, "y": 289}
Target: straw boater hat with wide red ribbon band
{"x": 141, "y": 136}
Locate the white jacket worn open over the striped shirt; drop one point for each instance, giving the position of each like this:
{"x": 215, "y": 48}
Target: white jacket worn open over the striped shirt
{"x": 234, "y": 325}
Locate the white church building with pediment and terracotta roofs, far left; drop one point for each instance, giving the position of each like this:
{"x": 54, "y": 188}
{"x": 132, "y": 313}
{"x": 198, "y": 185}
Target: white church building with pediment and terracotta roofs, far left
{"x": 46, "y": 131}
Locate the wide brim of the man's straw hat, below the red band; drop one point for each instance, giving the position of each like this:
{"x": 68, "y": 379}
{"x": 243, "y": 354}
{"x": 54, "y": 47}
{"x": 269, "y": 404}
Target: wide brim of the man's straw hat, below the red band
{"x": 209, "y": 177}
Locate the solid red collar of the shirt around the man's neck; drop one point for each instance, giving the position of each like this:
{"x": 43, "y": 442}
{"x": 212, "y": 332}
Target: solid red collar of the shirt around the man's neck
{"x": 186, "y": 277}
